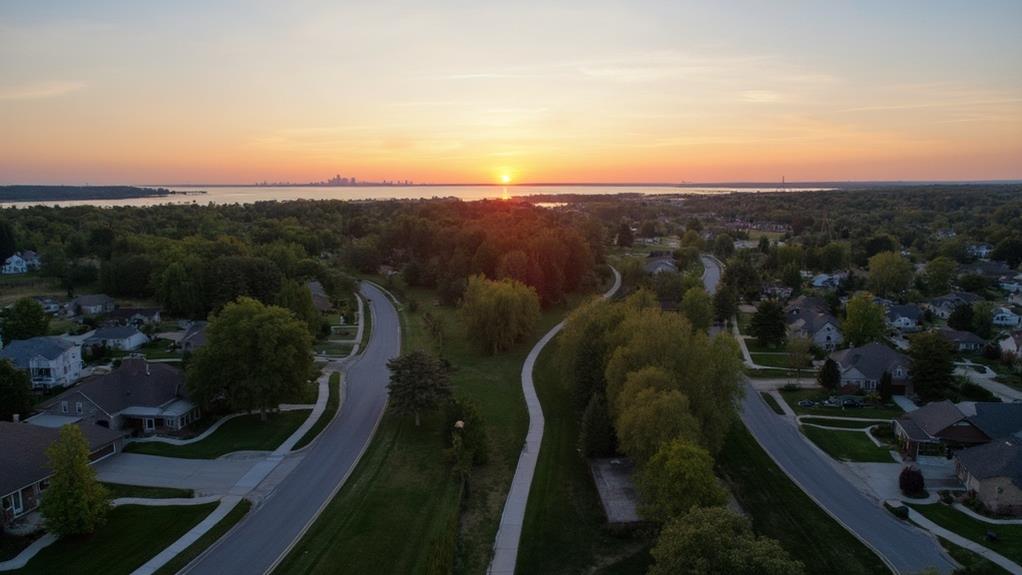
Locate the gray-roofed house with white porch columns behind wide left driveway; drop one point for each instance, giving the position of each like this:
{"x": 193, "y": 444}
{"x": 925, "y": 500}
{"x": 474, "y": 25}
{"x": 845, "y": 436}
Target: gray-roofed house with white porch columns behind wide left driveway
{"x": 136, "y": 398}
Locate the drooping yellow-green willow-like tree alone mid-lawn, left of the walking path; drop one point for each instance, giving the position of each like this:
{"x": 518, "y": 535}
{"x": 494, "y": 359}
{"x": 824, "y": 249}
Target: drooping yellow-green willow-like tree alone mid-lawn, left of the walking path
{"x": 499, "y": 314}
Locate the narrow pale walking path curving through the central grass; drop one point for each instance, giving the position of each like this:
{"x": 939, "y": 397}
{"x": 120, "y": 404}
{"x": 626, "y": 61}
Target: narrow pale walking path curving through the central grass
{"x": 509, "y": 533}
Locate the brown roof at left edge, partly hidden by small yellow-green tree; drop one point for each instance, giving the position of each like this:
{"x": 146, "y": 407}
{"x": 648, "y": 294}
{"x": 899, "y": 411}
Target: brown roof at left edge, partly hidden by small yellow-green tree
{"x": 23, "y": 452}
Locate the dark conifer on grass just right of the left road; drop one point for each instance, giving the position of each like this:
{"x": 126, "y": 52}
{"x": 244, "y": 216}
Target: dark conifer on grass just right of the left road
{"x": 419, "y": 384}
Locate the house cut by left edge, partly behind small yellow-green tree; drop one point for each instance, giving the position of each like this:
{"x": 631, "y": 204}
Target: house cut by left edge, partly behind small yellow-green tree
{"x": 25, "y": 468}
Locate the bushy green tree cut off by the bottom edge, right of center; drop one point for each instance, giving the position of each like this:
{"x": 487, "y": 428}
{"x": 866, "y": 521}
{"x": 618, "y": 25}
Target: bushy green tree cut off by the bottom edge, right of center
{"x": 717, "y": 541}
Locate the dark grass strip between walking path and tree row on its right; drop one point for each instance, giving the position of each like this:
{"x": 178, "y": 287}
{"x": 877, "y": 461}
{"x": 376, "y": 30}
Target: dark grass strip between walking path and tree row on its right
{"x": 565, "y": 531}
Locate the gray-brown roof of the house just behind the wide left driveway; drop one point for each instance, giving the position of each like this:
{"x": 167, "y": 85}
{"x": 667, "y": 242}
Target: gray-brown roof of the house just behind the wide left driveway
{"x": 134, "y": 385}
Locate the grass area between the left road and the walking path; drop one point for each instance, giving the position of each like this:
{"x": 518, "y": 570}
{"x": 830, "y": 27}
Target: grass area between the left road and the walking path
{"x": 403, "y": 485}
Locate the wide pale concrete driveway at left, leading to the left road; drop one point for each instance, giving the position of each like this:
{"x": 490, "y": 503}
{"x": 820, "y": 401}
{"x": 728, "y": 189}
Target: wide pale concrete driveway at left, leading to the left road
{"x": 207, "y": 477}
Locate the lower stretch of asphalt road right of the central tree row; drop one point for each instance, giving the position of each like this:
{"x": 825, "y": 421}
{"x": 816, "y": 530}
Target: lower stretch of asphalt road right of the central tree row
{"x": 907, "y": 549}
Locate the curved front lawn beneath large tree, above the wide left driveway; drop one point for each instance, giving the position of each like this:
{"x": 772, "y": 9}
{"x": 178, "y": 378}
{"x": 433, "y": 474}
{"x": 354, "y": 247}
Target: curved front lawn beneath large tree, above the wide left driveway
{"x": 246, "y": 434}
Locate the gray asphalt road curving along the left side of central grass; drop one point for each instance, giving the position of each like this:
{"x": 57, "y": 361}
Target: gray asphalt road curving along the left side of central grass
{"x": 267, "y": 533}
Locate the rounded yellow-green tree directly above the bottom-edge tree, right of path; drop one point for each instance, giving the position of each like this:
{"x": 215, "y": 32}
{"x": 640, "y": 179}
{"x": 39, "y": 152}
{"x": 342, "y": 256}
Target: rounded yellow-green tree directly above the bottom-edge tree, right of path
{"x": 679, "y": 477}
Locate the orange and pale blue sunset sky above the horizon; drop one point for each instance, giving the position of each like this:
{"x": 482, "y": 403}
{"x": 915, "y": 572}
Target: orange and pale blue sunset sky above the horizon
{"x": 129, "y": 92}
